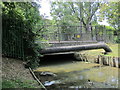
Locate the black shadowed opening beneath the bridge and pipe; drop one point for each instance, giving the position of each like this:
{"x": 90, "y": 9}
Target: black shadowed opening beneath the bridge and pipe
{"x": 56, "y": 59}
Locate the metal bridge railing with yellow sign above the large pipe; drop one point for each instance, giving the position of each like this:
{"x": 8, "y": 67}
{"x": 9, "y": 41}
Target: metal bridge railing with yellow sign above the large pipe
{"x": 77, "y": 33}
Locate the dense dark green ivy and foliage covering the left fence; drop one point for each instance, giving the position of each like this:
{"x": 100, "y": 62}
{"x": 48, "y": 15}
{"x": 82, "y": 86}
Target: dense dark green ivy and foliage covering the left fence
{"x": 23, "y": 17}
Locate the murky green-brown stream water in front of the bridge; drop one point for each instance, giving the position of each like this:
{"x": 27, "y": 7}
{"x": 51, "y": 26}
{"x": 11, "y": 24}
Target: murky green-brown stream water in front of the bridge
{"x": 76, "y": 74}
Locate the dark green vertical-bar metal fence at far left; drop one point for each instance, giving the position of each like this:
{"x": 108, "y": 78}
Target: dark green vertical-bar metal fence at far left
{"x": 12, "y": 39}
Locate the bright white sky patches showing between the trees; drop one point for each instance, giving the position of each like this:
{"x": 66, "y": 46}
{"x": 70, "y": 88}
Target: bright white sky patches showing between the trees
{"x": 45, "y": 10}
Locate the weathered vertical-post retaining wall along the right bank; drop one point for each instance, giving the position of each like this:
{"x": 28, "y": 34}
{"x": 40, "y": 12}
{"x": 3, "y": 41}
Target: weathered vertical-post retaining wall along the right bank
{"x": 100, "y": 59}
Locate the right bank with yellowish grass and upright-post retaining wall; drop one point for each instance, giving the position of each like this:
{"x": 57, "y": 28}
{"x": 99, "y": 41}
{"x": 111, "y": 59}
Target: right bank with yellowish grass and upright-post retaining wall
{"x": 100, "y": 56}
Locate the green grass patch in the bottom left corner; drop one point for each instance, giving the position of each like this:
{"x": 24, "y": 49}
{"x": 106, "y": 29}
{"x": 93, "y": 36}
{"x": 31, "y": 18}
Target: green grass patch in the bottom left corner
{"x": 18, "y": 84}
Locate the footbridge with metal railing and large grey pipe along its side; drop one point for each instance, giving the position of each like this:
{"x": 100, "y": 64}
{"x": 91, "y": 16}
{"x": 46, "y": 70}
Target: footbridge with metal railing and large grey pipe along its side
{"x": 62, "y": 40}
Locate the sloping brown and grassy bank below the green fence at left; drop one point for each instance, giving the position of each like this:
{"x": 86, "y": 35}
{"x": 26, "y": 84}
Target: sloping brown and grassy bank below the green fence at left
{"x": 14, "y": 75}
